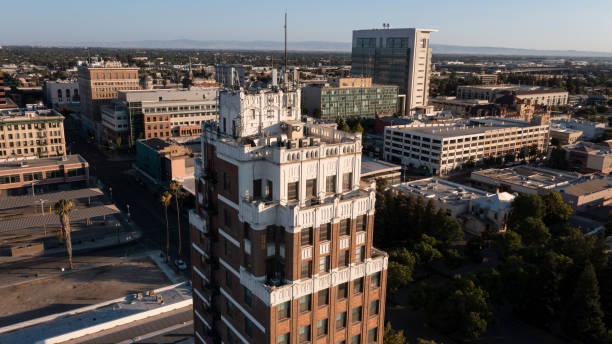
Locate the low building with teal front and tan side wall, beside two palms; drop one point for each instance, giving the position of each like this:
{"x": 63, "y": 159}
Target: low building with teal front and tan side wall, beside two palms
{"x": 163, "y": 161}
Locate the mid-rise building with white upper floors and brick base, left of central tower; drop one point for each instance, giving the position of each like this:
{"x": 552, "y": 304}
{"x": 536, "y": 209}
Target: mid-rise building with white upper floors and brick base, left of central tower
{"x": 161, "y": 113}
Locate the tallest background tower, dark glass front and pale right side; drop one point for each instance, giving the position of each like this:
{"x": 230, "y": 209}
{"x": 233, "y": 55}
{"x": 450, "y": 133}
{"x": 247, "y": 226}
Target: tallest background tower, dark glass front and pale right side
{"x": 400, "y": 57}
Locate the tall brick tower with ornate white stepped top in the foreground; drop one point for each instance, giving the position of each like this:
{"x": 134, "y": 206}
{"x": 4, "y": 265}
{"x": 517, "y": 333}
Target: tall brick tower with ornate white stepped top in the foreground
{"x": 282, "y": 230}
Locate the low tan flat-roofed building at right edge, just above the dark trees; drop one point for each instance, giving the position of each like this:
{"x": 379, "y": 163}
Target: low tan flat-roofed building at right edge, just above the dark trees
{"x": 592, "y": 192}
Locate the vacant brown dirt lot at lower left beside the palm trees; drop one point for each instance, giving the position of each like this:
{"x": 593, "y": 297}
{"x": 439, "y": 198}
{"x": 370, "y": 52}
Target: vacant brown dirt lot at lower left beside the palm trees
{"x": 78, "y": 289}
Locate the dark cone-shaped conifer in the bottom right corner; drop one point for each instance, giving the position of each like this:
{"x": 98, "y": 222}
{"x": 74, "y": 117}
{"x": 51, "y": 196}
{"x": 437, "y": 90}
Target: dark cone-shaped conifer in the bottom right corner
{"x": 584, "y": 317}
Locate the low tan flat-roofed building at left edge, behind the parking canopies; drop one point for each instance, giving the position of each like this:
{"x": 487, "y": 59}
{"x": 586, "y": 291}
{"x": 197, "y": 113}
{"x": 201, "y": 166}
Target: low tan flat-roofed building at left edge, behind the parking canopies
{"x": 41, "y": 175}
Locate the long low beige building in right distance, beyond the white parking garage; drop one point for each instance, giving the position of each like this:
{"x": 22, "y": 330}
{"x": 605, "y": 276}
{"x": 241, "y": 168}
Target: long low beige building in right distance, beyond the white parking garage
{"x": 537, "y": 94}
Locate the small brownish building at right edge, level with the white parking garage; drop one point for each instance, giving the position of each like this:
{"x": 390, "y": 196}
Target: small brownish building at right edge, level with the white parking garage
{"x": 591, "y": 157}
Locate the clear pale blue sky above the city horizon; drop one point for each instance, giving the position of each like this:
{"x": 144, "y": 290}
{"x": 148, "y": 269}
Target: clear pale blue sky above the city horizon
{"x": 531, "y": 24}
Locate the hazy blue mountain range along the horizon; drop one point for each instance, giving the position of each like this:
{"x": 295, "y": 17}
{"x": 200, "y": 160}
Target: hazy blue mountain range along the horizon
{"x": 316, "y": 46}
